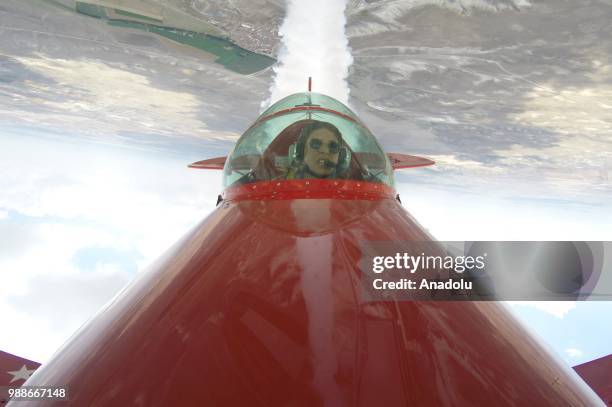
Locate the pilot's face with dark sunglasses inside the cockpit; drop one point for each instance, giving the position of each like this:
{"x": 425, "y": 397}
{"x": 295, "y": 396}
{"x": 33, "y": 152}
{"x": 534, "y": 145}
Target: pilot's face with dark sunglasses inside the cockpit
{"x": 321, "y": 152}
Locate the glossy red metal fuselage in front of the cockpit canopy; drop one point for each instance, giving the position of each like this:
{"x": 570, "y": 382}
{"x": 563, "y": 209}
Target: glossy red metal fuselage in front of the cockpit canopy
{"x": 259, "y": 305}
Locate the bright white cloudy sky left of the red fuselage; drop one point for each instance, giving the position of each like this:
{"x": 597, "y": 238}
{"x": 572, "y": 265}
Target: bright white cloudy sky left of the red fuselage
{"x": 81, "y": 218}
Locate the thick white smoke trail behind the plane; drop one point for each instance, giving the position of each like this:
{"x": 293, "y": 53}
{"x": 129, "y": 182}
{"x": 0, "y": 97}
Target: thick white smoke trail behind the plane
{"x": 313, "y": 44}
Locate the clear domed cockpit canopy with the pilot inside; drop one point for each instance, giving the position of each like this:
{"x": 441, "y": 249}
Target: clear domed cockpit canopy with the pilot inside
{"x": 307, "y": 135}
